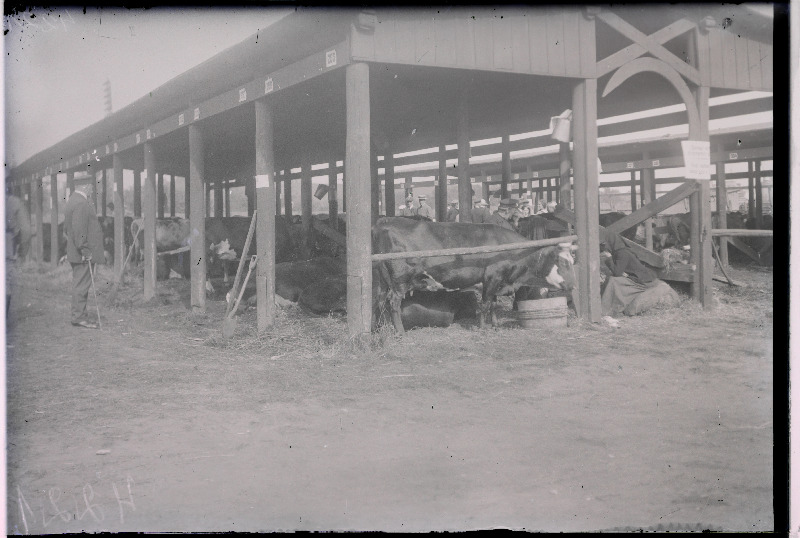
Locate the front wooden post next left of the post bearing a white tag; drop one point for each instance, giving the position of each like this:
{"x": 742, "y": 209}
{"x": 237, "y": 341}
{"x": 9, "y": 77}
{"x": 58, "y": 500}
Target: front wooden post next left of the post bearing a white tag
{"x": 197, "y": 203}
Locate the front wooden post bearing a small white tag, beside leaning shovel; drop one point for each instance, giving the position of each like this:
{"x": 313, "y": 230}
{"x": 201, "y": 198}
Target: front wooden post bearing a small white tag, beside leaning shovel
{"x": 265, "y": 205}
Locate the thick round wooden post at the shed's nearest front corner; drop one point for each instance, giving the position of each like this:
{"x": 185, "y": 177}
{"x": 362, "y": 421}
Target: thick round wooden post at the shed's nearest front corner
{"x": 357, "y": 194}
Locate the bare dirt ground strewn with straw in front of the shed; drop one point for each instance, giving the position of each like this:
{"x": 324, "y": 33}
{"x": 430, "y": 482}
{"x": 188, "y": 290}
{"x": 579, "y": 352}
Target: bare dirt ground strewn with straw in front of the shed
{"x": 155, "y": 423}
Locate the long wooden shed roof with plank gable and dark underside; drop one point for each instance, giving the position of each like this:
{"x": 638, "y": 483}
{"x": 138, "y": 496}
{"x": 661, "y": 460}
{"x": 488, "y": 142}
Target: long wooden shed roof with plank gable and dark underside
{"x": 421, "y": 60}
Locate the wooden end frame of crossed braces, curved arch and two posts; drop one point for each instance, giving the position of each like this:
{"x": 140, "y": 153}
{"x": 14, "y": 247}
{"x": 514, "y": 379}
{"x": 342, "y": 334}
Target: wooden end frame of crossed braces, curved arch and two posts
{"x": 625, "y": 63}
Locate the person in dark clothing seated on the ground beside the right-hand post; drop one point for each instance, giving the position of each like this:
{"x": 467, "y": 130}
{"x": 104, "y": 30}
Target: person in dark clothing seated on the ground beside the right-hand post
{"x": 631, "y": 288}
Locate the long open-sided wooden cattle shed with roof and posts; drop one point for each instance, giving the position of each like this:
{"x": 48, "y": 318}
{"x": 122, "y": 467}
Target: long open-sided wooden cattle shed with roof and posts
{"x": 323, "y": 85}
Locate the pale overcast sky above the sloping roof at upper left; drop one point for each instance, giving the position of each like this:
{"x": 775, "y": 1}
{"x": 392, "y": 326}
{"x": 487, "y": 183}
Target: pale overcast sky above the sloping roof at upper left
{"x": 57, "y": 59}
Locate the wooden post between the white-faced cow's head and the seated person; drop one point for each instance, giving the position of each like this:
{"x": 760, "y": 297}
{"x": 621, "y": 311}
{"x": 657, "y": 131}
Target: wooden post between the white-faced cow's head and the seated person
{"x": 584, "y": 106}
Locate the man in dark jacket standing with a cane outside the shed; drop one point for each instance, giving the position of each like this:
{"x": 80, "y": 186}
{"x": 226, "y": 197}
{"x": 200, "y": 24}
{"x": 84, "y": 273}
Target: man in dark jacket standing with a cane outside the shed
{"x": 84, "y": 247}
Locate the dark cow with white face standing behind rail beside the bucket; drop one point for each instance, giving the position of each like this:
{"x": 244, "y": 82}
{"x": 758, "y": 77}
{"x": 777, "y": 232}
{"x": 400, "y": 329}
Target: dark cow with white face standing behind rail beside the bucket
{"x": 499, "y": 273}
